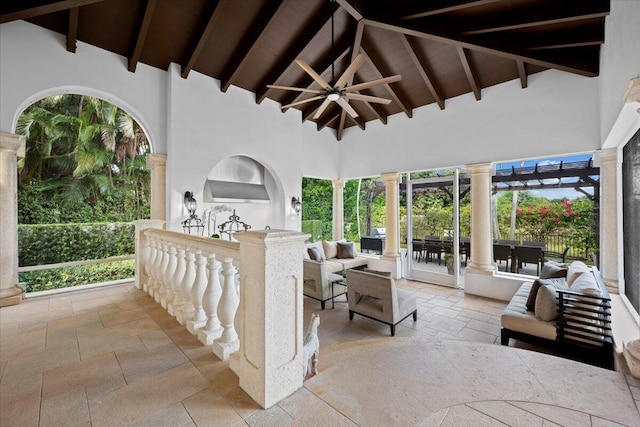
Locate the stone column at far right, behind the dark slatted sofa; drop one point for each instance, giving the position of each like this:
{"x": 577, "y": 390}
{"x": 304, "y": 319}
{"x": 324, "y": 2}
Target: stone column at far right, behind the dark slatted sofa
{"x": 608, "y": 161}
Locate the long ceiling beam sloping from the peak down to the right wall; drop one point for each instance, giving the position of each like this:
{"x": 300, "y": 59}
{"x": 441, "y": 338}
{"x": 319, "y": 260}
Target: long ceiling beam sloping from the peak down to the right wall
{"x": 559, "y": 62}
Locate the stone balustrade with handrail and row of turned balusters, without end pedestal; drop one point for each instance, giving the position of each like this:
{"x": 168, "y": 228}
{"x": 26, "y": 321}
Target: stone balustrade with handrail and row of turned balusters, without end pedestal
{"x": 196, "y": 280}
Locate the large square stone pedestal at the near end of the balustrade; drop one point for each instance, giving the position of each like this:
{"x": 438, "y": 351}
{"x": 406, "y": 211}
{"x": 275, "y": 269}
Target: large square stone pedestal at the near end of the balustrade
{"x": 270, "y": 314}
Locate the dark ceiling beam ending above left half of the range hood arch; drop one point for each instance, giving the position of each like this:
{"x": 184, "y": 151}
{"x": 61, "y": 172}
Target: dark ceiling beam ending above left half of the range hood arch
{"x": 248, "y": 42}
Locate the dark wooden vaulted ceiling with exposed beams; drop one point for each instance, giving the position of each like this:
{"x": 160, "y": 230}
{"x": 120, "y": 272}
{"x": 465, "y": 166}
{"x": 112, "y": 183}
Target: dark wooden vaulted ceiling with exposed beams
{"x": 441, "y": 48}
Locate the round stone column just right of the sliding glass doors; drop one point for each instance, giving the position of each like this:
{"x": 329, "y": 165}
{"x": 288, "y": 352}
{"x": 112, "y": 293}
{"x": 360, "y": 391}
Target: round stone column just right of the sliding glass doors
{"x": 481, "y": 239}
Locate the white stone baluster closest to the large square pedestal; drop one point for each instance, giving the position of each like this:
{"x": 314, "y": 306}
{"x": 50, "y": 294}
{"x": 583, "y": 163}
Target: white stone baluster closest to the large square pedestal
{"x": 228, "y": 342}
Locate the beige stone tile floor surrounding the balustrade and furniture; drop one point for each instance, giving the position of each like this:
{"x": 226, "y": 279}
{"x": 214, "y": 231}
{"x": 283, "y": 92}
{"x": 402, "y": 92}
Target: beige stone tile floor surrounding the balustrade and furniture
{"x": 113, "y": 357}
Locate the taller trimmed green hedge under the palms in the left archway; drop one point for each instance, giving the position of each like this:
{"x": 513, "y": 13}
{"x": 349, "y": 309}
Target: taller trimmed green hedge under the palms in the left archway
{"x": 55, "y": 243}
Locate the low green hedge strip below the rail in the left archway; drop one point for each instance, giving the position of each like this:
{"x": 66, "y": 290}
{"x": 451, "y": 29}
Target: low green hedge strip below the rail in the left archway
{"x": 66, "y": 277}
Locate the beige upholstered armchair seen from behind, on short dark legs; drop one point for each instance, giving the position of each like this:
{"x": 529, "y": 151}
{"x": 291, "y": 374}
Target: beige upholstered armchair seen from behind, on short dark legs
{"x": 376, "y": 297}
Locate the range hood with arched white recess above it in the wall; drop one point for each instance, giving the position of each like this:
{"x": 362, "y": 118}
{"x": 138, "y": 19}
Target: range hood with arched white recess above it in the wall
{"x": 237, "y": 179}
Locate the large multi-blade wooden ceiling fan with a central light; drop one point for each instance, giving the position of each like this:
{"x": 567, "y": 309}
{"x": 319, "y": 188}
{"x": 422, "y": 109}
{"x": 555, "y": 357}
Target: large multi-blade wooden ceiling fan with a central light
{"x": 338, "y": 92}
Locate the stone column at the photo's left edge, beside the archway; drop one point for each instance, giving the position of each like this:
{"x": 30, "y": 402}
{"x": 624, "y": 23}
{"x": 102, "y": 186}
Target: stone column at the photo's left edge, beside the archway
{"x": 11, "y": 146}
